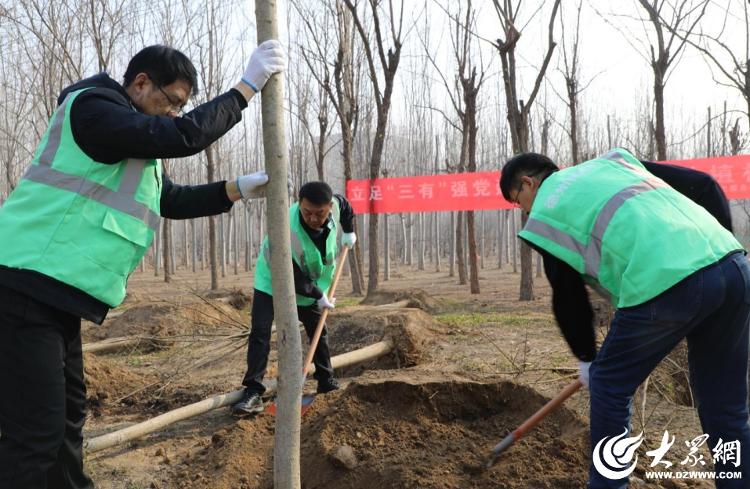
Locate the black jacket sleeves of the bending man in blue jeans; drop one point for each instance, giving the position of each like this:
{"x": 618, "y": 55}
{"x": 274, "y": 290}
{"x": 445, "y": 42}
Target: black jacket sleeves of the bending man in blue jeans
{"x": 570, "y": 301}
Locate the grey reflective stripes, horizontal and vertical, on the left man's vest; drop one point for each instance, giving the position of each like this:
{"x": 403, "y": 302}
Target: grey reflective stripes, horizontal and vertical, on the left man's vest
{"x": 122, "y": 200}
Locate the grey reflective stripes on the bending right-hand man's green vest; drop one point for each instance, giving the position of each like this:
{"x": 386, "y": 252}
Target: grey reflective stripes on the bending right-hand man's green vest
{"x": 592, "y": 252}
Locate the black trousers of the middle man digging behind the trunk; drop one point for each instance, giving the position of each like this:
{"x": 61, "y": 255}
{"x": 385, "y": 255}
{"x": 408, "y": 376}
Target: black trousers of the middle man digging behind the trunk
{"x": 259, "y": 342}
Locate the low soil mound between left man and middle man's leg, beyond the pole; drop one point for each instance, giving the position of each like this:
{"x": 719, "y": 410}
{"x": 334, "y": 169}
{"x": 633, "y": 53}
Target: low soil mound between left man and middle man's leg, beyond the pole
{"x": 164, "y": 321}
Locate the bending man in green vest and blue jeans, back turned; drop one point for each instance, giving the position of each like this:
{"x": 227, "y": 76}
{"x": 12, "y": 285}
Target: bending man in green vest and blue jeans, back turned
{"x": 671, "y": 270}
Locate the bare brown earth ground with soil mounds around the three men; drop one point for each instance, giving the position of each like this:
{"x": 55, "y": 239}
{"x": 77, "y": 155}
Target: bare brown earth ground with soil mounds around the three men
{"x": 467, "y": 371}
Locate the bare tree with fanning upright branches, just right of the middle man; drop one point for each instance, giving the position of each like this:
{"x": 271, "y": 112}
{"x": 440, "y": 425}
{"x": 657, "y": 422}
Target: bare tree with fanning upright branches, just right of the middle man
{"x": 388, "y": 64}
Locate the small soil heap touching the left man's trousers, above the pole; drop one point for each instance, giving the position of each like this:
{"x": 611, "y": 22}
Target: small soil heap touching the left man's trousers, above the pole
{"x": 107, "y": 382}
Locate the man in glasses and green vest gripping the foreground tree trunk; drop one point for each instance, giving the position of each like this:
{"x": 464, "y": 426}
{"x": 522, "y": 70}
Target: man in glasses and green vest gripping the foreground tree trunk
{"x": 79, "y": 222}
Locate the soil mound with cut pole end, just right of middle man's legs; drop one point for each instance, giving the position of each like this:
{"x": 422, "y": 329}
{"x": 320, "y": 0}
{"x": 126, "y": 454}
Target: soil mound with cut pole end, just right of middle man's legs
{"x": 411, "y": 331}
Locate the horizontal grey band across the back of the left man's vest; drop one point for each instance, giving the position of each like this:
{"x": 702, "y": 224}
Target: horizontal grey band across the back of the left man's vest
{"x": 72, "y": 183}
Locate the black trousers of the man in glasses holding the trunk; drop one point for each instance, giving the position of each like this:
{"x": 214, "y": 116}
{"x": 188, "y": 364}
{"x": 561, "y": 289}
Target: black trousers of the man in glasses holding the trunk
{"x": 42, "y": 396}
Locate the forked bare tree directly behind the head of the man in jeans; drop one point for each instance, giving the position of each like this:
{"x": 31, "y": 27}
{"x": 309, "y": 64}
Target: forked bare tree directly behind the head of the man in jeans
{"x": 518, "y": 109}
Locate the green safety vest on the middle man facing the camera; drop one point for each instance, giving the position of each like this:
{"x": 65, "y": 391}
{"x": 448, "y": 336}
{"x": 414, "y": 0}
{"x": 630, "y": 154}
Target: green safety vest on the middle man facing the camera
{"x": 305, "y": 254}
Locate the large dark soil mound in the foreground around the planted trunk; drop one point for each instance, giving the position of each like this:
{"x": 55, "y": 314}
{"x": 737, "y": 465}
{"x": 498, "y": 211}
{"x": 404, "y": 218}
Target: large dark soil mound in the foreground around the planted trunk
{"x": 406, "y": 434}
